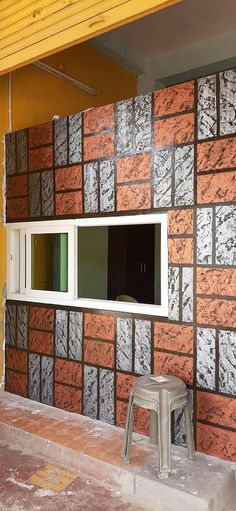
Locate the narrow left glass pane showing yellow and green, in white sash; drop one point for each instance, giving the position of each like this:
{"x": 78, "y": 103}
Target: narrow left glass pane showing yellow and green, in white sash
{"x": 49, "y": 256}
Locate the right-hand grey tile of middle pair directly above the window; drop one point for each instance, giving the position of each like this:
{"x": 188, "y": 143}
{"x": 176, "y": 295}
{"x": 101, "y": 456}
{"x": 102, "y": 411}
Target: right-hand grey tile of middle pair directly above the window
{"x": 107, "y": 192}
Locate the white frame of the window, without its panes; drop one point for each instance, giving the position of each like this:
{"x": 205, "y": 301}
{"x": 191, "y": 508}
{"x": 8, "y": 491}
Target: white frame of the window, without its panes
{"x": 70, "y": 298}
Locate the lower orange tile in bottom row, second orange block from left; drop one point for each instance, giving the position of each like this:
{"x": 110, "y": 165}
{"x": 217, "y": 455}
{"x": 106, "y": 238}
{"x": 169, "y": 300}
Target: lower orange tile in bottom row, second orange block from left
{"x": 68, "y": 398}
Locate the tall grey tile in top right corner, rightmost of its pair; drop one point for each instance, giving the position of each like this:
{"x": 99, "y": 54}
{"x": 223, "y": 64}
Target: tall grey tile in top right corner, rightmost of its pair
{"x": 228, "y": 102}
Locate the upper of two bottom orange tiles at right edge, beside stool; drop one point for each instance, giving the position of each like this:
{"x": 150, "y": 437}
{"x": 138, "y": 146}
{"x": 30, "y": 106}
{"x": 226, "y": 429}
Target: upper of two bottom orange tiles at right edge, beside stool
{"x": 217, "y": 409}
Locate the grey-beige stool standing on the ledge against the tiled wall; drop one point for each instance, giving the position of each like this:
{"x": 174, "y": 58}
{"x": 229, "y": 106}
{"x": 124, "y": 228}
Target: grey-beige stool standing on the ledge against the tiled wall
{"x": 161, "y": 398}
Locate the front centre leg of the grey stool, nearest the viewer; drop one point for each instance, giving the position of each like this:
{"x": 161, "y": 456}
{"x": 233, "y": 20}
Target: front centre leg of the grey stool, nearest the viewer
{"x": 164, "y": 435}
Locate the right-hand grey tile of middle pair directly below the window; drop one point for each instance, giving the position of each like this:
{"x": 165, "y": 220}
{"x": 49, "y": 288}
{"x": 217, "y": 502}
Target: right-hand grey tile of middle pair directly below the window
{"x": 75, "y": 335}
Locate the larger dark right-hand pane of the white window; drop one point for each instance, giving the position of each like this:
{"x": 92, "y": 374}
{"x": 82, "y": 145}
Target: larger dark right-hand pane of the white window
{"x": 120, "y": 263}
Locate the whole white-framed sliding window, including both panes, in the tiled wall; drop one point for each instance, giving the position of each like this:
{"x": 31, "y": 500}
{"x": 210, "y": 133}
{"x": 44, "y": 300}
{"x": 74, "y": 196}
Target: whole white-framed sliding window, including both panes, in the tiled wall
{"x": 112, "y": 263}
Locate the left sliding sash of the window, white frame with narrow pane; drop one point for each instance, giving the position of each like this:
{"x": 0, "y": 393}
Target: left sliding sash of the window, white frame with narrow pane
{"x": 38, "y": 258}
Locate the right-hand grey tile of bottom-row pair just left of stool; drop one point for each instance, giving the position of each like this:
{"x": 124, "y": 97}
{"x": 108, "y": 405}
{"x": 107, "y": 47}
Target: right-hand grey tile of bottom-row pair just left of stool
{"x": 106, "y": 396}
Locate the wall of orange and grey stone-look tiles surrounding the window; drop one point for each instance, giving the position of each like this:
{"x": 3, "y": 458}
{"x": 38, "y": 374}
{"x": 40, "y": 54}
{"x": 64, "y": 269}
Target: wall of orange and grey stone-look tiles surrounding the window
{"x": 174, "y": 151}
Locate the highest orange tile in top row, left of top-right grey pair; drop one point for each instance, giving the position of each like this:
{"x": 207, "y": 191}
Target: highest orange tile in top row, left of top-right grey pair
{"x": 178, "y": 98}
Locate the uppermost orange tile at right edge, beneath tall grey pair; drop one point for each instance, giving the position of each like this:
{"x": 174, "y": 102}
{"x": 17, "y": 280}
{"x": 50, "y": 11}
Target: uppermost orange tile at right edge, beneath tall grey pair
{"x": 217, "y": 155}
